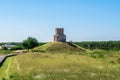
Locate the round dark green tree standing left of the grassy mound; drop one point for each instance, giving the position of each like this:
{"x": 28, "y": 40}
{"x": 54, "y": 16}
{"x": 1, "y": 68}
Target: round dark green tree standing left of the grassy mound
{"x": 30, "y": 42}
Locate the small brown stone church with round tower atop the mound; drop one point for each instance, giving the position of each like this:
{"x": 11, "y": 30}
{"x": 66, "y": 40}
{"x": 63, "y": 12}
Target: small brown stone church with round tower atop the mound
{"x": 59, "y": 35}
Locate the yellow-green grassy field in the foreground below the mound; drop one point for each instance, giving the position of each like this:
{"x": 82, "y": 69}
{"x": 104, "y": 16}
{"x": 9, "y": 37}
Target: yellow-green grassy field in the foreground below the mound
{"x": 96, "y": 65}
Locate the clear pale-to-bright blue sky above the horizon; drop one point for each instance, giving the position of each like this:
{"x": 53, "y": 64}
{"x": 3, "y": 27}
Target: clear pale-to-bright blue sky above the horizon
{"x": 83, "y": 20}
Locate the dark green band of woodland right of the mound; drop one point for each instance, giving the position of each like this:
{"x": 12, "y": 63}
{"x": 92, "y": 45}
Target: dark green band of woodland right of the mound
{"x": 106, "y": 45}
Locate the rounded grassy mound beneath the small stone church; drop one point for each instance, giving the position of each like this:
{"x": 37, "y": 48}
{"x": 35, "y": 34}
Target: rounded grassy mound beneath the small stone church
{"x": 59, "y": 47}
